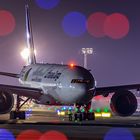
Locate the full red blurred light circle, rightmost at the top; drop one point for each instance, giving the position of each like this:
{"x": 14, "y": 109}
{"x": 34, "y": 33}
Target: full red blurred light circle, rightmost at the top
{"x": 116, "y": 26}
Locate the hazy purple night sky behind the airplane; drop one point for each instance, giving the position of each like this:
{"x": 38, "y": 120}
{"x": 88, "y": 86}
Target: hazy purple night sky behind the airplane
{"x": 62, "y": 27}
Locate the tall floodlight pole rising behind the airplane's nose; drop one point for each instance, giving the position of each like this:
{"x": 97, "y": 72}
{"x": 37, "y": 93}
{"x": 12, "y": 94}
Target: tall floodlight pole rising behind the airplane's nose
{"x": 85, "y": 52}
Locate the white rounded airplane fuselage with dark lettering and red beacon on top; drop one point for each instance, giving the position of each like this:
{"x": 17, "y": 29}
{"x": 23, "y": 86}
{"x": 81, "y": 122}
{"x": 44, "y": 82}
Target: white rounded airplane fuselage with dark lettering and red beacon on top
{"x": 56, "y": 82}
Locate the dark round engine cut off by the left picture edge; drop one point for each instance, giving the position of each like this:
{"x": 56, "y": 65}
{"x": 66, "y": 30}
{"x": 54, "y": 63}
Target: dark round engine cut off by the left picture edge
{"x": 6, "y": 102}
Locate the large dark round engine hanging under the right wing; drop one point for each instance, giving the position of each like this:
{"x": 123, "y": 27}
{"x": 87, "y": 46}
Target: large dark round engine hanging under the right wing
{"x": 123, "y": 103}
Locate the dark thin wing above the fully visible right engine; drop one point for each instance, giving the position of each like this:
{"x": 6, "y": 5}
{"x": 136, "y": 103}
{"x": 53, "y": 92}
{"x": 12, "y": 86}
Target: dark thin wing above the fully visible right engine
{"x": 111, "y": 89}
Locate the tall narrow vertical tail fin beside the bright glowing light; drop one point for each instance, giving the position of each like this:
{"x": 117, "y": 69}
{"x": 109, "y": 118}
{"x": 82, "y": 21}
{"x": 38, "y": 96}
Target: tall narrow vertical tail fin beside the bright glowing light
{"x": 29, "y": 35}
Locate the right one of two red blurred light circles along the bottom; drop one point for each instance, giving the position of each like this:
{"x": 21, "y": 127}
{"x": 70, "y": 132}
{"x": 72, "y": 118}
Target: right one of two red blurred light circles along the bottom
{"x": 53, "y": 135}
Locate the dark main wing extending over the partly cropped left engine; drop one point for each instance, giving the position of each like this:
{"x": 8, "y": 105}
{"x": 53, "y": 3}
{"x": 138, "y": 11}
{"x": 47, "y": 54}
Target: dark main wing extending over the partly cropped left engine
{"x": 34, "y": 93}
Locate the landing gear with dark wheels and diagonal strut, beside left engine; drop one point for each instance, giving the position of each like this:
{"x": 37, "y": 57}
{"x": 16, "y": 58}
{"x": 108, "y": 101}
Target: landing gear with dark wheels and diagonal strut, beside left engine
{"x": 17, "y": 114}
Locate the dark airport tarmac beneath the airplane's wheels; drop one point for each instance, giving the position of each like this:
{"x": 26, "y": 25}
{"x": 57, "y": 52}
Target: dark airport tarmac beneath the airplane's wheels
{"x": 115, "y": 128}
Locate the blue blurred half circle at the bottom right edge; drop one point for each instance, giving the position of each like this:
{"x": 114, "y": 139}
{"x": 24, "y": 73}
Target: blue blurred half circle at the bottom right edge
{"x": 119, "y": 134}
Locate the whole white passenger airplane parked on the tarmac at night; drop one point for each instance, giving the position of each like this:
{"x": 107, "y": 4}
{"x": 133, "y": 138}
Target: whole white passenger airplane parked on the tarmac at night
{"x": 57, "y": 84}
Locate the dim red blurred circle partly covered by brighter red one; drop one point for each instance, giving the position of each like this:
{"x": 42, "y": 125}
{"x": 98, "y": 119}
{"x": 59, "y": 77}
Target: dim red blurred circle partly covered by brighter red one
{"x": 95, "y": 24}
